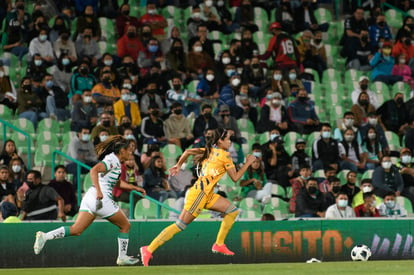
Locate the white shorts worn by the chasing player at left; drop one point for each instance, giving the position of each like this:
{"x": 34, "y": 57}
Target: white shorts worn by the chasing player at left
{"x": 88, "y": 204}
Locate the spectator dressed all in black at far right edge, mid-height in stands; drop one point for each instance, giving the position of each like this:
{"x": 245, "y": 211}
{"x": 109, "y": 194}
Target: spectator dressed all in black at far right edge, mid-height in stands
{"x": 393, "y": 114}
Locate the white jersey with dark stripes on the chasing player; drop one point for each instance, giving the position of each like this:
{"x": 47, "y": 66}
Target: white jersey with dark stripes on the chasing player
{"x": 108, "y": 180}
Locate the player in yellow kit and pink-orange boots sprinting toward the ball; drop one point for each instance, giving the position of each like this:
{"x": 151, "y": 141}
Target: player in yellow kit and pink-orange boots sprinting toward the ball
{"x": 214, "y": 161}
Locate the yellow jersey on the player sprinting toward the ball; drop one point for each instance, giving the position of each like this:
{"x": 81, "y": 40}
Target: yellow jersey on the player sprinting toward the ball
{"x": 212, "y": 169}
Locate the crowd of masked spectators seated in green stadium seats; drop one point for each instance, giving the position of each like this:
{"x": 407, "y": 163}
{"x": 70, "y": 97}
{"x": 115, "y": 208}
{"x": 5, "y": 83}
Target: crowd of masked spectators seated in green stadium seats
{"x": 320, "y": 122}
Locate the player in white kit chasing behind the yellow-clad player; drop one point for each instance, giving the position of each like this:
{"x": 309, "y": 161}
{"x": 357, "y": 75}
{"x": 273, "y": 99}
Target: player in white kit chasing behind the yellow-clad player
{"x": 98, "y": 199}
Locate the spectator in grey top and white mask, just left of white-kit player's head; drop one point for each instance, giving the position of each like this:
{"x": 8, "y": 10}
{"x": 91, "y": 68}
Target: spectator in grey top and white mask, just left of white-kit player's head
{"x": 81, "y": 148}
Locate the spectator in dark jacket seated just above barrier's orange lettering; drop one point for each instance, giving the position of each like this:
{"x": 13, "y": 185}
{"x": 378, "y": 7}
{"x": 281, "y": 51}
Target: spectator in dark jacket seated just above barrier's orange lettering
{"x": 310, "y": 203}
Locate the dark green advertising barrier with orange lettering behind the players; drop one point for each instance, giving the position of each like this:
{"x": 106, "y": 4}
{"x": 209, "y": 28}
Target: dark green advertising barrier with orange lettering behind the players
{"x": 252, "y": 241}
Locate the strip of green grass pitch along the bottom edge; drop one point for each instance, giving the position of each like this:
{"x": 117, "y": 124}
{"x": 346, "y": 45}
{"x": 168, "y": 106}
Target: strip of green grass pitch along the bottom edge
{"x": 339, "y": 268}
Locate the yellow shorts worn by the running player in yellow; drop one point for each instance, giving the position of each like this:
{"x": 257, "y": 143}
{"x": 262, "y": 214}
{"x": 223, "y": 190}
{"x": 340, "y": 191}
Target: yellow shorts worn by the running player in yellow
{"x": 196, "y": 200}
